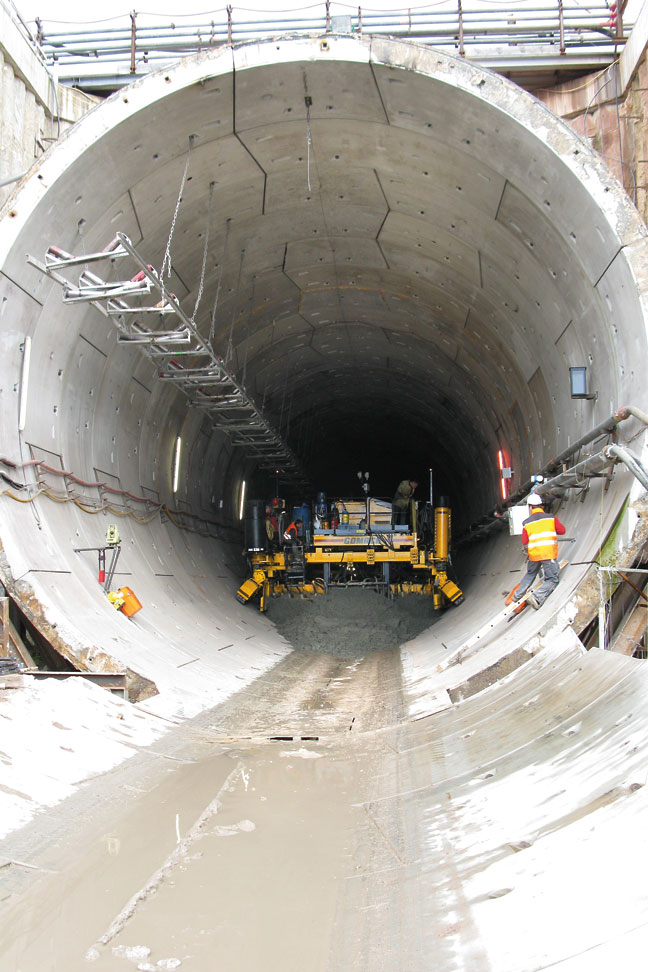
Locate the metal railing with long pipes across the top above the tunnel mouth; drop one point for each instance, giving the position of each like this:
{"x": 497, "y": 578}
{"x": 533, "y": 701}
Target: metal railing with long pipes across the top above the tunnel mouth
{"x": 133, "y": 47}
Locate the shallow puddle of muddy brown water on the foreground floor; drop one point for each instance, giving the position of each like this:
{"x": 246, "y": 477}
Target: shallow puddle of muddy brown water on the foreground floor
{"x": 257, "y": 888}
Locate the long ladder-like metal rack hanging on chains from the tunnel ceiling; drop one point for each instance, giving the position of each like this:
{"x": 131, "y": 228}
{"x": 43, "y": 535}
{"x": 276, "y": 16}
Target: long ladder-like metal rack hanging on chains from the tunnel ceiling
{"x": 204, "y": 379}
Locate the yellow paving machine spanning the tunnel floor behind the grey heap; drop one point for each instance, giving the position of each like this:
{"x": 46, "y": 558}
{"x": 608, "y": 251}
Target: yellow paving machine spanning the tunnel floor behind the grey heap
{"x": 350, "y": 543}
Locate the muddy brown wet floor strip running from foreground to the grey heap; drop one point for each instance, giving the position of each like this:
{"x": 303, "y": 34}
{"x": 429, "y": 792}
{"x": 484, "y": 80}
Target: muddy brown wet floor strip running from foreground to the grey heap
{"x": 234, "y": 846}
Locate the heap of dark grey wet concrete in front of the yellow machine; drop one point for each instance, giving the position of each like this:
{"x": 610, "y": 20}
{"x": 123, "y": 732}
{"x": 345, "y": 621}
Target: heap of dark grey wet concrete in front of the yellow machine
{"x": 348, "y": 622}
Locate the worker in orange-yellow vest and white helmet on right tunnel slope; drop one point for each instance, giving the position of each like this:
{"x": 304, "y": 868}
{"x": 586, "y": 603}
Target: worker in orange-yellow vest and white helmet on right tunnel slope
{"x": 540, "y": 537}
